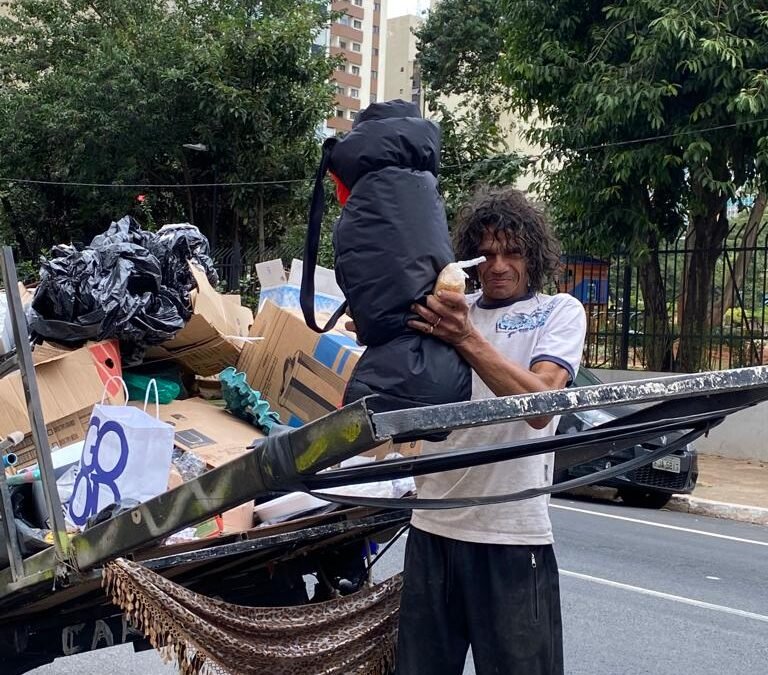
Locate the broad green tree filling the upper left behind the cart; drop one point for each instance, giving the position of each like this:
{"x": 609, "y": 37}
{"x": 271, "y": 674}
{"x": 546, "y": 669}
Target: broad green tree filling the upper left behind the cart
{"x": 109, "y": 91}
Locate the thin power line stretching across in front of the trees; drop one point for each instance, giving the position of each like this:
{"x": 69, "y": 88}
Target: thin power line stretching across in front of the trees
{"x": 177, "y": 186}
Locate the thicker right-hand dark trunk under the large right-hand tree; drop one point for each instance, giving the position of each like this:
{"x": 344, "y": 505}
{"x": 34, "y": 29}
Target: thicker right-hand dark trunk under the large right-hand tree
{"x": 710, "y": 228}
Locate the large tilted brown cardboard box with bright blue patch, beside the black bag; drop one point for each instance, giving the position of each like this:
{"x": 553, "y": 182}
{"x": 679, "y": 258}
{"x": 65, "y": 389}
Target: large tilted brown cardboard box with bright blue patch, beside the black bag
{"x": 301, "y": 373}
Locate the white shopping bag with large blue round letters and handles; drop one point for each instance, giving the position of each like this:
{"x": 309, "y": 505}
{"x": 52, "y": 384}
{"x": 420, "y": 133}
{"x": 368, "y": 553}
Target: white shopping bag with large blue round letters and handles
{"x": 126, "y": 455}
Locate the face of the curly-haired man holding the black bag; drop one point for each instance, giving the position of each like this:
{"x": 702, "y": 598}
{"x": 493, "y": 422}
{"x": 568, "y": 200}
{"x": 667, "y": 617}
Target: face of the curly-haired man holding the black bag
{"x": 504, "y": 275}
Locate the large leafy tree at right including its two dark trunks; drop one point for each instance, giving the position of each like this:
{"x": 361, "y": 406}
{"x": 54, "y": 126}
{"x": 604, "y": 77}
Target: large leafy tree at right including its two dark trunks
{"x": 595, "y": 79}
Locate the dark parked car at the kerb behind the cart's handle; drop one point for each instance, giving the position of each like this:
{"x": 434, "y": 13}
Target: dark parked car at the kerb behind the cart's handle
{"x": 650, "y": 486}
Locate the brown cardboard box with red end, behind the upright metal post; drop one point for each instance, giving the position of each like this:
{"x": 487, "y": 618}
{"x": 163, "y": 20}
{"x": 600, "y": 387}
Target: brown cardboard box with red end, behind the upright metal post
{"x": 70, "y": 382}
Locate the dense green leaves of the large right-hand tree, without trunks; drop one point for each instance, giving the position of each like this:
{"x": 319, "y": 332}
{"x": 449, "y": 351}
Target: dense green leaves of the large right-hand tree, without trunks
{"x": 599, "y": 73}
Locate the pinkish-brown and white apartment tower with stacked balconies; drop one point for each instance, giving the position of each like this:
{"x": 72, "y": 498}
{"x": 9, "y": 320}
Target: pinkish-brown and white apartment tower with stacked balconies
{"x": 360, "y": 37}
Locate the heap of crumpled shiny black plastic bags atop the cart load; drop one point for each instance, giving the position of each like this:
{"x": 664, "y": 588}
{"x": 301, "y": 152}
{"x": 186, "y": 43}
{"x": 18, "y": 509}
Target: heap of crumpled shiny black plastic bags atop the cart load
{"x": 128, "y": 284}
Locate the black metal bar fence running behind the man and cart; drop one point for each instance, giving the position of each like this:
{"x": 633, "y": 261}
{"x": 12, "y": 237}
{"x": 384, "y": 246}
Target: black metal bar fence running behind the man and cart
{"x": 621, "y": 331}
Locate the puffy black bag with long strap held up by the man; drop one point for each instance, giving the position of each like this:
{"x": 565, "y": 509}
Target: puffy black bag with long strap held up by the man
{"x": 390, "y": 244}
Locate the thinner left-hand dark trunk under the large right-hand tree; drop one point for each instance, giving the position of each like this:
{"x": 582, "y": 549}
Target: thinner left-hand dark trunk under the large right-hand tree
{"x": 657, "y": 335}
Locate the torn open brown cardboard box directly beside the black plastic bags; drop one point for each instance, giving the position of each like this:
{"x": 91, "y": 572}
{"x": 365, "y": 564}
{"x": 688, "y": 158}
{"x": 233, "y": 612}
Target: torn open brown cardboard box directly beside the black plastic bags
{"x": 213, "y": 337}
